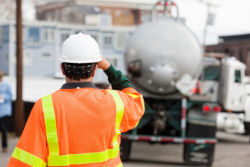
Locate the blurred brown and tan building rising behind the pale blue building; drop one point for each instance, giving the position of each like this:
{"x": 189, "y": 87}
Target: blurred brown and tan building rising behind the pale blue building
{"x": 94, "y": 12}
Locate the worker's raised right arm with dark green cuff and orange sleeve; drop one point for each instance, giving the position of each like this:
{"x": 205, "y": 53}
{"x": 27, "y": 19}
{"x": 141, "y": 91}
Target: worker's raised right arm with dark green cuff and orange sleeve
{"x": 132, "y": 101}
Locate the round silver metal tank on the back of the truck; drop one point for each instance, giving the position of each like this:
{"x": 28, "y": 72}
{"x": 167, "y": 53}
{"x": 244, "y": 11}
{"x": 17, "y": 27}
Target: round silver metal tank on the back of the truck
{"x": 160, "y": 52}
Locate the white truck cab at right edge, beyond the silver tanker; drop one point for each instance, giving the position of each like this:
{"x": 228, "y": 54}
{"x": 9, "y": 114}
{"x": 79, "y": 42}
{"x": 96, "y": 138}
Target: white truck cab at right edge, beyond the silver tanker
{"x": 224, "y": 80}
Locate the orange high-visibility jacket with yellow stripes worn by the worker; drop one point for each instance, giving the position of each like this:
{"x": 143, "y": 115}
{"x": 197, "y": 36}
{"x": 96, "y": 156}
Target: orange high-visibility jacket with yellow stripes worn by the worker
{"x": 78, "y": 127}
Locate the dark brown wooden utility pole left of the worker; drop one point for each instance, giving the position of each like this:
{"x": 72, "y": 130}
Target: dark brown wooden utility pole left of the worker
{"x": 19, "y": 105}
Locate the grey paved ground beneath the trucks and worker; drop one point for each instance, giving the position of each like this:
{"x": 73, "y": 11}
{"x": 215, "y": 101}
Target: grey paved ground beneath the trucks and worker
{"x": 231, "y": 151}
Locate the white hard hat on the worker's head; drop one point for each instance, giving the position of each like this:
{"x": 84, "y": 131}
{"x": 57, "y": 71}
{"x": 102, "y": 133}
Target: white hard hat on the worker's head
{"x": 80, "y": 48}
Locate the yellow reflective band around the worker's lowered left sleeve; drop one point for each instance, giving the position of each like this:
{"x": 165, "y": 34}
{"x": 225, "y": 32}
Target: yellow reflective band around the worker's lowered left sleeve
{"x": 28, "y": 158}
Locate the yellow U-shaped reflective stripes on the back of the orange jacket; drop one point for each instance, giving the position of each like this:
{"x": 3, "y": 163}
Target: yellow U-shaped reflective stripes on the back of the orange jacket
{"x": 54, "y": 159}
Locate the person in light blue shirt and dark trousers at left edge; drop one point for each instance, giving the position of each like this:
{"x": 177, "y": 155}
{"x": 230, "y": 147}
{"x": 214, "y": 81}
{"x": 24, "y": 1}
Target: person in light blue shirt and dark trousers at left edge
{"x": 5, "y": 109}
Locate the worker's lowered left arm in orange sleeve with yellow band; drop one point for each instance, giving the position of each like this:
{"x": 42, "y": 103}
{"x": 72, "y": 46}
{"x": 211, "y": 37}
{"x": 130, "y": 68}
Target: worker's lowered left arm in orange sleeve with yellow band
{"x": 31, "y": 149}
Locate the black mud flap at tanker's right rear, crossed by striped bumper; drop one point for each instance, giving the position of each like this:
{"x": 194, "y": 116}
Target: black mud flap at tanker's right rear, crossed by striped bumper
{"x": 199, "y": 154}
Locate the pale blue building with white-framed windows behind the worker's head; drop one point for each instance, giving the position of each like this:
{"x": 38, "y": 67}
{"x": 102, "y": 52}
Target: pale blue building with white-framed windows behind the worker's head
{"x": 42, "y": 43}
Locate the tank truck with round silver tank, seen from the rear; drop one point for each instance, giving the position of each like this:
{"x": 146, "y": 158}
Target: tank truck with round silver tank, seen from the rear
{"x": 165, "y": 61}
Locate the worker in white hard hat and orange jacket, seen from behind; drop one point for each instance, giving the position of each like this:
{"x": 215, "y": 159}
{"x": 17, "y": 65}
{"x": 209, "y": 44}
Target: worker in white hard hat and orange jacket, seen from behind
{"x": 80, "y": 125}
